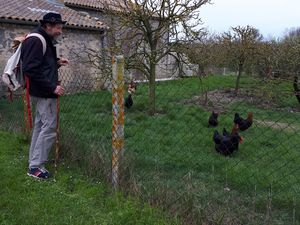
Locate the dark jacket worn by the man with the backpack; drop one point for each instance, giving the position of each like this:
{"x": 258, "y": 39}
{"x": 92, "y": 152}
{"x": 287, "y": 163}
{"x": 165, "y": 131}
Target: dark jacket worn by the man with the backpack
{"x": 42, "y": 70}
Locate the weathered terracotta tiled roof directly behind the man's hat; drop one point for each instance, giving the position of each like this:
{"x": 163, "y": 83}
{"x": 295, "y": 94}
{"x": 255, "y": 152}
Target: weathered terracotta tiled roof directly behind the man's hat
{"x": 33, "y": 11}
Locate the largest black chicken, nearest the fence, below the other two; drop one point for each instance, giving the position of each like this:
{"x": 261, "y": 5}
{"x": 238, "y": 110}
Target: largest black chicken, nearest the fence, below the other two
{"x": 227, "y": 143}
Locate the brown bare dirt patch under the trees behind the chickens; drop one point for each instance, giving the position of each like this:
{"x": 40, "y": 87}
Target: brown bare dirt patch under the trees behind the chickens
{"x": 219, "y": 100}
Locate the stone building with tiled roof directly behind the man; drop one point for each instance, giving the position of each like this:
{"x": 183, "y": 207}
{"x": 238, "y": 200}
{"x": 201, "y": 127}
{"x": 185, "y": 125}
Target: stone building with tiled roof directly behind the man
{"x": 19, "y": 17}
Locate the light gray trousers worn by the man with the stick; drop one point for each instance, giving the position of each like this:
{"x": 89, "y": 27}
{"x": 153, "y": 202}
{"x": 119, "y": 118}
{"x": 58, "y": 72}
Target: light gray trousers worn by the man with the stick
{"x": 44, "y": 131}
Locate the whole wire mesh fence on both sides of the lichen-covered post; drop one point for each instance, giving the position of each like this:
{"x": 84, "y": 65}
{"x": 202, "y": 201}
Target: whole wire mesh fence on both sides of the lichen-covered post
{"x": 169, "y": 159}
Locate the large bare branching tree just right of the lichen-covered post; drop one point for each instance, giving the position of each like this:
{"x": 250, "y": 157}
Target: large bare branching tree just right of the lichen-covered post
{"x": 152, "y": 29}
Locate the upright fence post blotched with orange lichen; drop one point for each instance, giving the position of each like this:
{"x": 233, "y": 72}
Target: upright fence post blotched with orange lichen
{"x": 118, "y": 117}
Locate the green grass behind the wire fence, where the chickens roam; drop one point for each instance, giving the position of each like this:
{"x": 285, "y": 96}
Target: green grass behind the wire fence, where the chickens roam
{"x": 171, "y": 158}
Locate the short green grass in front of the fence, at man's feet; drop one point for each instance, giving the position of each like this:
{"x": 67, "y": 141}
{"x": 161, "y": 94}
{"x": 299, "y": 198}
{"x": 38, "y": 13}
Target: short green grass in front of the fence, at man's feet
{"x": 68, "y": 199}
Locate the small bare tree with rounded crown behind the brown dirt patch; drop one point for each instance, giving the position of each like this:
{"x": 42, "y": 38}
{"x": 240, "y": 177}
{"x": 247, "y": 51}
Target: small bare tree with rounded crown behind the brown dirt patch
{"x": 240, "y": 45}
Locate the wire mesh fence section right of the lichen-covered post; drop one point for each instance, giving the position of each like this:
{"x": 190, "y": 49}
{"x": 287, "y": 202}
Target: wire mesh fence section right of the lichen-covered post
{"x": 176, "y": 160}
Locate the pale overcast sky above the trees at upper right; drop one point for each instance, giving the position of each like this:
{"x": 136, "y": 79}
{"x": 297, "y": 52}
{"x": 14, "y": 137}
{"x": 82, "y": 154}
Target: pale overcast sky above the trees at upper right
{"x": 271, "y": 17}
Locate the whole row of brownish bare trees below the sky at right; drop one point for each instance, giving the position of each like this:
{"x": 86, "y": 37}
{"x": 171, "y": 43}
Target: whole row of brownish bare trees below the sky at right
{"x": 244, "y": 48}
